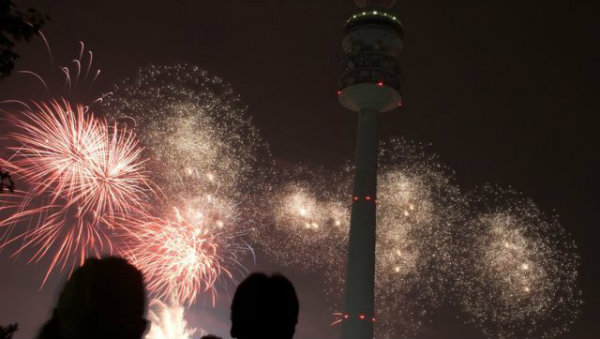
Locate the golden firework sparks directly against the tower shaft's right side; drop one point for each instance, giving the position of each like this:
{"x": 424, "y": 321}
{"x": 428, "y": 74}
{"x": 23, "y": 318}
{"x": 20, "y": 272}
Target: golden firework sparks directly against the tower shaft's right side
{"x": 418, "y": 206}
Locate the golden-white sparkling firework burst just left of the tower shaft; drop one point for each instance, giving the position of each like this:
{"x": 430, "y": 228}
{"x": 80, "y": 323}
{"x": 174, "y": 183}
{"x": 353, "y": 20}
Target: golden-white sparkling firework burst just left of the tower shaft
{"x": 310, "y": 219}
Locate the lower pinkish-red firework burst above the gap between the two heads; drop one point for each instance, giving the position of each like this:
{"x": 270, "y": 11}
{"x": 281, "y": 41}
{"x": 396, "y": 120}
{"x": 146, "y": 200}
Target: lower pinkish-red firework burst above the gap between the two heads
{"x": 186, "y": 254}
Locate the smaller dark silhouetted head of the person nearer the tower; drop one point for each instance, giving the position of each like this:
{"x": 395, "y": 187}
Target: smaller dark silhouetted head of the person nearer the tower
{"x": 264, "y": 307}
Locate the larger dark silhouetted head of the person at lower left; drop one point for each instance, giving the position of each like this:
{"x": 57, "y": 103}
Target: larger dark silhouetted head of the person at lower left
{"x": 104, "y": 298}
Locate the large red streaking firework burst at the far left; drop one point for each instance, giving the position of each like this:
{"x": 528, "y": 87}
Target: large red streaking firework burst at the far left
{"x": 83, "y": 171}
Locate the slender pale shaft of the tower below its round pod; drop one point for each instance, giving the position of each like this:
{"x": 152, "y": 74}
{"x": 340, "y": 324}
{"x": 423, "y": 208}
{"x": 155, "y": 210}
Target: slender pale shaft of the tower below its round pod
{"x": 360, "y": 271}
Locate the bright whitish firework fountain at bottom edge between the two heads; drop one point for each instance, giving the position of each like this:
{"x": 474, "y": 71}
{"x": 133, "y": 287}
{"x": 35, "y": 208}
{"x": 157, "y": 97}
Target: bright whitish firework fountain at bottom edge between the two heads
{"x": 168, "y": 322}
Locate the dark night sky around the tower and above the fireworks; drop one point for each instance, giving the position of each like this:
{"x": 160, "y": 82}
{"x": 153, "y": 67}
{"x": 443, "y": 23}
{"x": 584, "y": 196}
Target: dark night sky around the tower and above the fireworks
{"x": 506, "y": 92}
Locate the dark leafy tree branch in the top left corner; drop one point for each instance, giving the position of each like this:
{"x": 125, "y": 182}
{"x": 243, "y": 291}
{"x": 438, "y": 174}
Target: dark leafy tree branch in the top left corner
{"x": 15, "y": 26}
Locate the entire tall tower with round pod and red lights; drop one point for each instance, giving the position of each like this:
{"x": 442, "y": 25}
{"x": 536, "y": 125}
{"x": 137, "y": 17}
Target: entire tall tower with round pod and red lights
{"x": 369, "y": 85}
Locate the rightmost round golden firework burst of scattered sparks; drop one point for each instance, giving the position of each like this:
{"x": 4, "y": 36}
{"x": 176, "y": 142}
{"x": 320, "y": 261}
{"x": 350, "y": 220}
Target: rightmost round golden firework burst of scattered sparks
{"x": 520, "y": 268}
